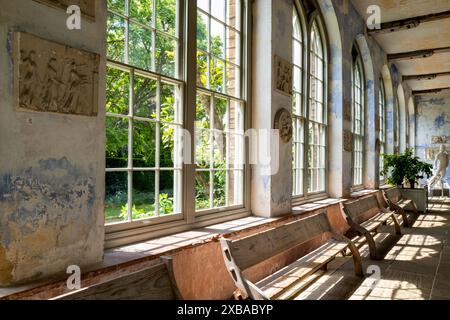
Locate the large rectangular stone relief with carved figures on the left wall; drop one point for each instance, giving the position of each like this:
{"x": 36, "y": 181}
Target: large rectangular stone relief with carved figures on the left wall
{"x": 51, "y": 77}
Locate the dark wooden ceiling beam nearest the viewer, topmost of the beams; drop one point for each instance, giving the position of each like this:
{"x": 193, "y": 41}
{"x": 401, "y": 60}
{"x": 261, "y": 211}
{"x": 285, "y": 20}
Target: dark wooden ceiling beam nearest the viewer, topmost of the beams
{"x": 409, "y": 23}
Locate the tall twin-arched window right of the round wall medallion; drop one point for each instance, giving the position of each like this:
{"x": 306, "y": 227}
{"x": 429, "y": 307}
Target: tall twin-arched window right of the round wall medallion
{"x": 309, "y": 109}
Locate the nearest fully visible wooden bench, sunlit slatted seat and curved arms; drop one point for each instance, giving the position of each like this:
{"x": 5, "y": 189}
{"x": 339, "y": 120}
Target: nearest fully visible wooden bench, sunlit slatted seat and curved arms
{"x": 241, "y": 254}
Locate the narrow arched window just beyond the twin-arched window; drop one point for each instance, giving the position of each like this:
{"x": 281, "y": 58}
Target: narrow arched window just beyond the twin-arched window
{"x": 358, "y": 112}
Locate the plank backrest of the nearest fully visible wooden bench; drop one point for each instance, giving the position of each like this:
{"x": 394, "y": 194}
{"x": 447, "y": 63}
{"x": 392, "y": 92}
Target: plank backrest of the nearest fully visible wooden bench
{"x": 251, "y": 250}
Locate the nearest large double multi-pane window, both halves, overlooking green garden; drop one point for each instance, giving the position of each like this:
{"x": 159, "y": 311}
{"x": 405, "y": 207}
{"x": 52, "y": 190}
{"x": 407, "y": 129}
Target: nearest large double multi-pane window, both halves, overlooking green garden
{"x": 150, "y": 118}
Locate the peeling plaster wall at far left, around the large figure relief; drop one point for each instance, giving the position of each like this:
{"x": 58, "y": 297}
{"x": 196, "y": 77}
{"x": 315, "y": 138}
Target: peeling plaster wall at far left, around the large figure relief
{"x": 51, "y": 166}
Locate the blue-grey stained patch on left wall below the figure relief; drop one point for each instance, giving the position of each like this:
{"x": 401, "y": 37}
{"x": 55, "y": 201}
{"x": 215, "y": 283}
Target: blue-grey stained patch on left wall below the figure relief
{"x": 51, "y": 194}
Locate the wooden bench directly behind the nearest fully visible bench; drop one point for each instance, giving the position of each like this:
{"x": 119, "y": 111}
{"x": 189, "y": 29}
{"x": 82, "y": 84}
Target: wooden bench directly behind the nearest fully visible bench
{"x": 365, "y": 216}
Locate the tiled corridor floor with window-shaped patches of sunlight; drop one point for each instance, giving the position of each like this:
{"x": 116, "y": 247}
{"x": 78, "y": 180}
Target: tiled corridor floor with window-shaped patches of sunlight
{"x": 416, "y": 265}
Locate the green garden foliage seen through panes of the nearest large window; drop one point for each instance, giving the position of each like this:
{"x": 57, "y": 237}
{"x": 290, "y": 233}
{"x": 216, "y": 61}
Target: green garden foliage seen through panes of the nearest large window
{"x": 161, "y": 60}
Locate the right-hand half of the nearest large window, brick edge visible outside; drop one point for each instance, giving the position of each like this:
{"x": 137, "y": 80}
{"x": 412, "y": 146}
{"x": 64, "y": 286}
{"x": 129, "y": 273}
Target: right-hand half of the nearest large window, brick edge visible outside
{"x": 219, "y": 120}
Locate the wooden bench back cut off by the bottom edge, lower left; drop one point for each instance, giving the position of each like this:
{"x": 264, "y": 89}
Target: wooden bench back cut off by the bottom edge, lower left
{"x": 153, "y": 283}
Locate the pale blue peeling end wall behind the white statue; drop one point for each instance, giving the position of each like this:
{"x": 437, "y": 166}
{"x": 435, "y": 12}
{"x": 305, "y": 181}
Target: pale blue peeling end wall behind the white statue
{"x": 433, "y": 119}
